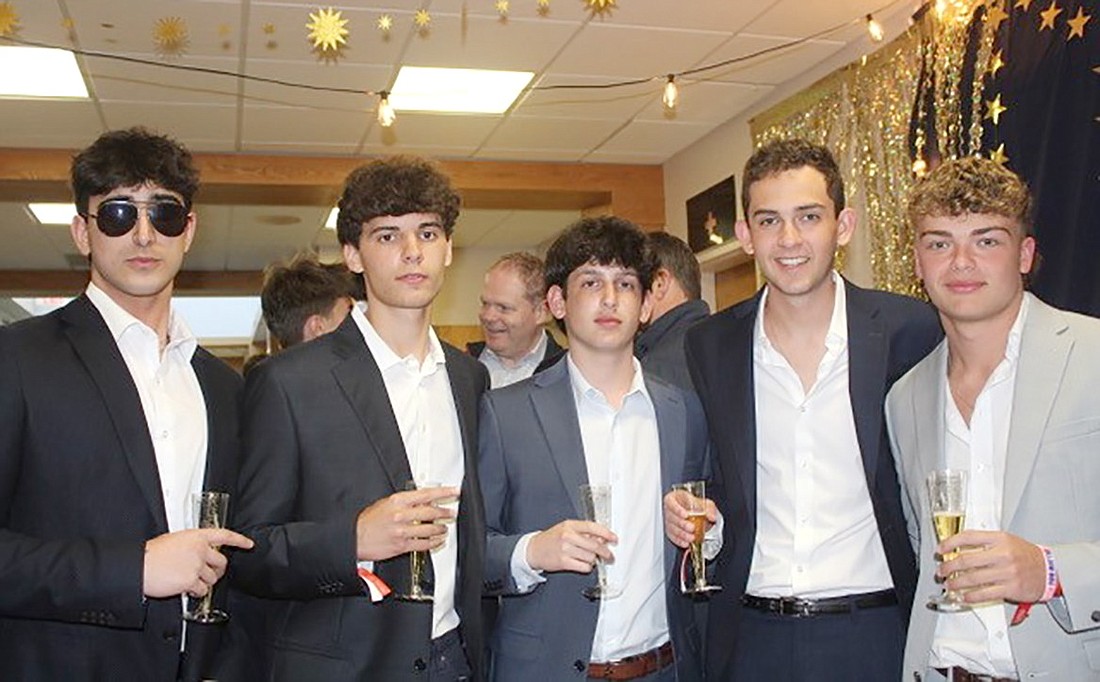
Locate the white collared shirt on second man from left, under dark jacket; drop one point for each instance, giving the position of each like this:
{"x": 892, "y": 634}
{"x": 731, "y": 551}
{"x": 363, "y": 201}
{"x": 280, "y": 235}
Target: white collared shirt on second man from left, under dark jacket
{"x": 424, "y": 408}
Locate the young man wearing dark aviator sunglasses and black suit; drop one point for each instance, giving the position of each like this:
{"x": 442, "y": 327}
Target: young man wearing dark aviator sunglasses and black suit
{"x": 111, "y": 417}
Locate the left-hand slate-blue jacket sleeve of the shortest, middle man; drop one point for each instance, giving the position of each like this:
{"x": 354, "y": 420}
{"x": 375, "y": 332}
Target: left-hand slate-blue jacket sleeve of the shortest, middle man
{"x": 493, "y": 475}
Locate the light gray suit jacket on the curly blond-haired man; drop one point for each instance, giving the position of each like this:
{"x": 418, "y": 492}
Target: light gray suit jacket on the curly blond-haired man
{"x": 1051, "y": 489}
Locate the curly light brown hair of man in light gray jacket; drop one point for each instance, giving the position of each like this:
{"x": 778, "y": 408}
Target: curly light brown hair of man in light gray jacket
{"x": 972, "y": 185}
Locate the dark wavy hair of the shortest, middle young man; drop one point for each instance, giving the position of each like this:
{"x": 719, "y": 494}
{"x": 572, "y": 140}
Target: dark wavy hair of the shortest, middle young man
{"x": 606, "y": 241}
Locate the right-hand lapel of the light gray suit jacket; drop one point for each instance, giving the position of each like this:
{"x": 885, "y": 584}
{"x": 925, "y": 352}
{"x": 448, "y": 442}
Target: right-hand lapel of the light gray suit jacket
{"x": 1044, "y": 350}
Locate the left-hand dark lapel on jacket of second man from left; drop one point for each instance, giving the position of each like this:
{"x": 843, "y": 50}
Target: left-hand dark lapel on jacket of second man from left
{"x": 360, "y": 379}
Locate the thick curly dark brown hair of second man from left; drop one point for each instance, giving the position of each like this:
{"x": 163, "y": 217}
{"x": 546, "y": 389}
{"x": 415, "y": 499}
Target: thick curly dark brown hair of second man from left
{"x": 395, "y": 186}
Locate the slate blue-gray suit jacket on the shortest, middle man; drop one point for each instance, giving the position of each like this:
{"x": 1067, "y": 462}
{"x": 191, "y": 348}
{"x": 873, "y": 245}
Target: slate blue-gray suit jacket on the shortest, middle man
{"x": 532, "y": 463}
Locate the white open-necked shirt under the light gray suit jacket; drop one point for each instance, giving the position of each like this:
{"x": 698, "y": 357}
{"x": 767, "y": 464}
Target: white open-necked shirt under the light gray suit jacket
{"x": 978, "y": 640}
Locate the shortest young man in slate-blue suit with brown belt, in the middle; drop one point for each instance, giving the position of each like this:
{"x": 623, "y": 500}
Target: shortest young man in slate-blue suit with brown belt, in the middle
{"x": 595, "y": 417}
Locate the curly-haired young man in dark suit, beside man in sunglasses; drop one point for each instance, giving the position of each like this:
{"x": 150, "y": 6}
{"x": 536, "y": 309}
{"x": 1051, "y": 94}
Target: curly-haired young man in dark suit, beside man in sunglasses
{"x": 337, "y": 428}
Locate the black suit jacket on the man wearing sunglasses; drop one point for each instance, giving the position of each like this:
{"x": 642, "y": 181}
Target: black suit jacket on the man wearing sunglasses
{"x": 80, "y": 497}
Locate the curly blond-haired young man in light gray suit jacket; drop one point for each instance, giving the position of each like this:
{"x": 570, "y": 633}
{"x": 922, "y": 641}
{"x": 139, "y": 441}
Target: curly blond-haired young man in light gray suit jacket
{"x": 1010, "y": 399}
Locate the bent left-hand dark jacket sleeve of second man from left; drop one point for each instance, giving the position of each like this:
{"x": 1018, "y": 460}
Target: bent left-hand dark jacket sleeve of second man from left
{"x": 292, "y": 559}
